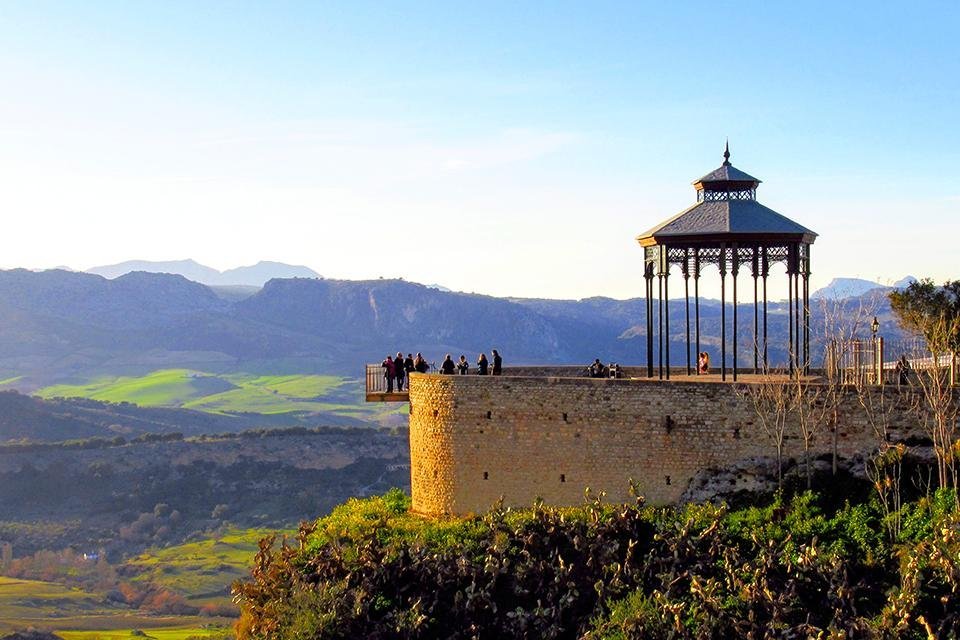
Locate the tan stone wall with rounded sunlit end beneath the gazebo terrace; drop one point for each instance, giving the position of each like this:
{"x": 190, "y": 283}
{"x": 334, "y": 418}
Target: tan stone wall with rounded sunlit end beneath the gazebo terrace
{"x": 475, "y": 439}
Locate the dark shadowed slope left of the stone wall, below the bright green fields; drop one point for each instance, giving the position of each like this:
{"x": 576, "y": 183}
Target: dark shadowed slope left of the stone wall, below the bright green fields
{"x": 107, "y": 497}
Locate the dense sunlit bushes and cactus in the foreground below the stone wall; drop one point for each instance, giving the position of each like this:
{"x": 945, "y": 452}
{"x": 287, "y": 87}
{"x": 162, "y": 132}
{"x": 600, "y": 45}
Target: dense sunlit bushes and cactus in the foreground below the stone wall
{"x": 789, "y": 569}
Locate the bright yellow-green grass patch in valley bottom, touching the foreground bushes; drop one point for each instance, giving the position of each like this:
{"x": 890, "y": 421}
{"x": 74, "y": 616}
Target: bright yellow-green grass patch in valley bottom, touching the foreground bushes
{"x": 202, "y": 571}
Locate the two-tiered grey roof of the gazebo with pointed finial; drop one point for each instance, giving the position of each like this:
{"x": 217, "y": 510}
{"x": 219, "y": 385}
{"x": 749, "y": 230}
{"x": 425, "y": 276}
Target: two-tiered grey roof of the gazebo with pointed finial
{"x": 727, "y": 211}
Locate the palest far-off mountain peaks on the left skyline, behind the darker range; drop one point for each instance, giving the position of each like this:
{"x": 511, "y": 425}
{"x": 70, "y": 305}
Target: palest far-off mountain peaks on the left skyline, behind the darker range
{"x": 251, "y": 276}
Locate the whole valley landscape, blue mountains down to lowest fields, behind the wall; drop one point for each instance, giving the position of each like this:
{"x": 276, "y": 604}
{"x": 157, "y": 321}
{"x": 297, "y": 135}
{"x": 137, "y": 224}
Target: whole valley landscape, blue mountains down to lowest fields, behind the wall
{"x": 154, "y": 429}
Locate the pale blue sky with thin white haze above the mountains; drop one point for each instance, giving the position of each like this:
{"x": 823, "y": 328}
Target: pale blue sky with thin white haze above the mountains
{"x": 513, "y": 148}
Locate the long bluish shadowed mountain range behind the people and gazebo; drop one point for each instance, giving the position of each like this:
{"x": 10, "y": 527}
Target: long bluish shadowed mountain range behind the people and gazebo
{"x": 56, "y": 324}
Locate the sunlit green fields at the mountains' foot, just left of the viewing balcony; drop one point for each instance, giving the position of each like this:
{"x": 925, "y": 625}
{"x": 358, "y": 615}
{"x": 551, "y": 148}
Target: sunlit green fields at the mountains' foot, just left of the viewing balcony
{"x": 230, "y": 393}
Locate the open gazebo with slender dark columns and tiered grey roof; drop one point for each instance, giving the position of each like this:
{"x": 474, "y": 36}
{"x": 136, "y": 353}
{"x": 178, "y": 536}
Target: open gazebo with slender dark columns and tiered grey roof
{"x": 728, "y": 228}
